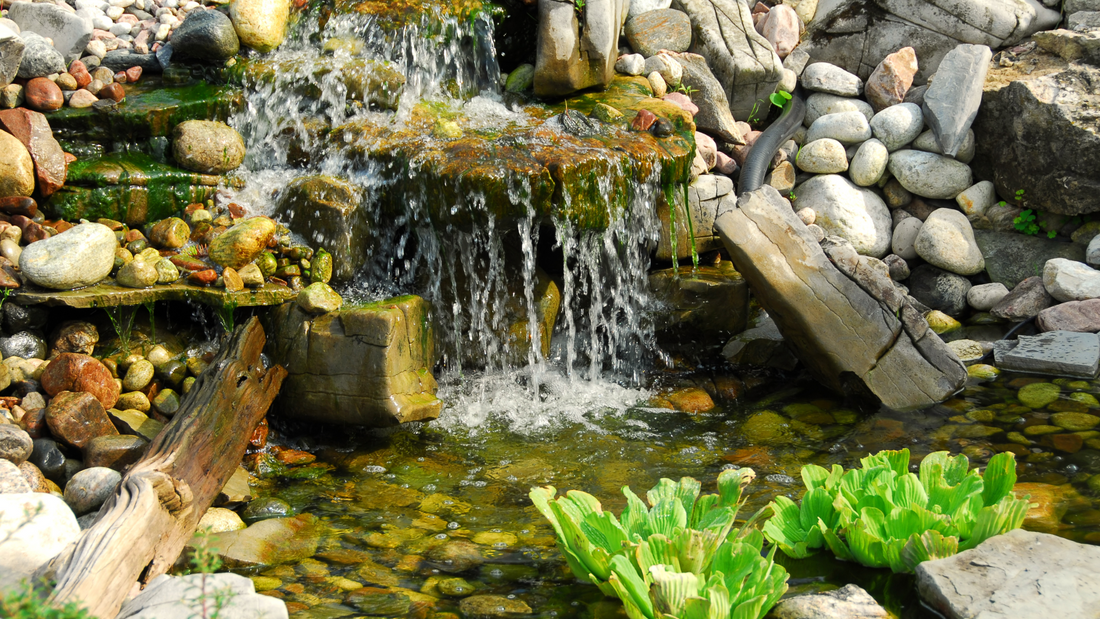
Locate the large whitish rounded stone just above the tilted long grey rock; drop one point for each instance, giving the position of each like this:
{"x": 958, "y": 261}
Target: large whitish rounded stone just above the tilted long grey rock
{"x": 849, "y": 212}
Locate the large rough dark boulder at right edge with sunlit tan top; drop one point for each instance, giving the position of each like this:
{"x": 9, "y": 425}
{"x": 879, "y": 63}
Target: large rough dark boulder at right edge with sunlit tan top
{"x": 1035, "y": 134}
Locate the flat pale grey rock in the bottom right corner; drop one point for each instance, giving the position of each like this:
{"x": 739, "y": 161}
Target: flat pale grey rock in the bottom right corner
{"x": 1018, "y": 574}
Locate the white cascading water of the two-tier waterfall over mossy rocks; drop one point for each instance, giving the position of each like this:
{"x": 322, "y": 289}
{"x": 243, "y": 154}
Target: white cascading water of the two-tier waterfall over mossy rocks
{"x": 328, "y": 102}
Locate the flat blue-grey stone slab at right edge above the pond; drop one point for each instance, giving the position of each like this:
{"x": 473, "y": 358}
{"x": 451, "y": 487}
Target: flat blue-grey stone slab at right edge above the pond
{"x": 1061, "y": 353}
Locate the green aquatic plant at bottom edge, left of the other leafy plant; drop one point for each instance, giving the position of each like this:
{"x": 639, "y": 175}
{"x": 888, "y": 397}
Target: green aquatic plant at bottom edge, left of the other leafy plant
{"x": 675, "y": 559}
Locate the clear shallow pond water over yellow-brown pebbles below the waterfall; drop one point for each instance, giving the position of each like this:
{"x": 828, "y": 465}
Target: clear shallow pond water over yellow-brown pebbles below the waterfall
{"x": 394, "y": 503}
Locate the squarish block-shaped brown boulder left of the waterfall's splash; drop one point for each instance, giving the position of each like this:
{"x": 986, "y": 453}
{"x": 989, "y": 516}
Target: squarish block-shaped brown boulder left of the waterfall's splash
{"x": 368, "y": 366}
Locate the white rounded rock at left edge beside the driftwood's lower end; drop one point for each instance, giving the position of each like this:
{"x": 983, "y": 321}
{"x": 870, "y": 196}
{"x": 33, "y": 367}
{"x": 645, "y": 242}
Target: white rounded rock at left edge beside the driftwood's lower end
{"x": 27, "y": 543}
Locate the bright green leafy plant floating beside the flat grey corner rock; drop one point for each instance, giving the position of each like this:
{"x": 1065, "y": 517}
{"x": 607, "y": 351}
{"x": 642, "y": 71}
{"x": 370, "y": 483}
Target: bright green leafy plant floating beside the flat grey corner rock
{"x": 885, "y": 516}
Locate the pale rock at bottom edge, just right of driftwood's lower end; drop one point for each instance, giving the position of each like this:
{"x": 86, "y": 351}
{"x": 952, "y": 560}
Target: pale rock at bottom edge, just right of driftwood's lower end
{"x": 182, "y": 598}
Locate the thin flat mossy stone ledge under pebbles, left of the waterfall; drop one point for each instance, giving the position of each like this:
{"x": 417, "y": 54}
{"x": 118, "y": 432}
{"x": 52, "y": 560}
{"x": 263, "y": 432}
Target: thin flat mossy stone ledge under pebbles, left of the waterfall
{"x": 106, "y": 295}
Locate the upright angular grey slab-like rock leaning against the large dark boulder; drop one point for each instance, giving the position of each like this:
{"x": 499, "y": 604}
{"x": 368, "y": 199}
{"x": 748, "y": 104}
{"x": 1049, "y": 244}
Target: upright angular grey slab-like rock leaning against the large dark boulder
{"x": 952, "y": 102}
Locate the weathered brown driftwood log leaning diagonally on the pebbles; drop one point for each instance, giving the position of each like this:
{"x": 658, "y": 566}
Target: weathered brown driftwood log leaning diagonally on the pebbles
{"x": 145, "y": 527}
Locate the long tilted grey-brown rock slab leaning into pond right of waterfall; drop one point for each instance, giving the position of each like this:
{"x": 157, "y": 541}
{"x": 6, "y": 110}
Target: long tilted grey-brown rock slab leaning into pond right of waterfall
{"x": 850, "y": 325}
